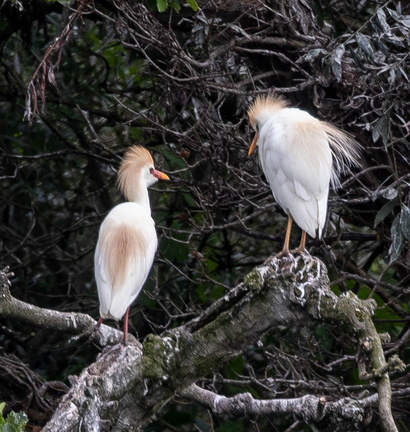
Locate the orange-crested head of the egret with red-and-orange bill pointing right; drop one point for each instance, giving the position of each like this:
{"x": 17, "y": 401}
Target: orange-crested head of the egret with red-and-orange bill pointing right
{"x": 137, "y": 171}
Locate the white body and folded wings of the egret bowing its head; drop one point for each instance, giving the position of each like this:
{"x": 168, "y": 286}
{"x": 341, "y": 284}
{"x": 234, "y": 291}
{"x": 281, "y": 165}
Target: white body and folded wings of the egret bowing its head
{"x": 297, "y": 161}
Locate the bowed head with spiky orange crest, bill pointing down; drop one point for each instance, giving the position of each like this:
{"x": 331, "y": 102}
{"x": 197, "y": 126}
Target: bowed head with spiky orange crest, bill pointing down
{"x": 261, "y": 110}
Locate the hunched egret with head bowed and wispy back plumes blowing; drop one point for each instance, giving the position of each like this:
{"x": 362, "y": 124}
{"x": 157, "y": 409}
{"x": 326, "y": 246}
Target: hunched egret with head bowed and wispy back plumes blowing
{"x": 300, "y": 156}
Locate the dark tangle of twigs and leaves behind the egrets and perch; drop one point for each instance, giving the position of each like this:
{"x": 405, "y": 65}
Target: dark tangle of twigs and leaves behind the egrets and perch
{"x": 179, "y": 82}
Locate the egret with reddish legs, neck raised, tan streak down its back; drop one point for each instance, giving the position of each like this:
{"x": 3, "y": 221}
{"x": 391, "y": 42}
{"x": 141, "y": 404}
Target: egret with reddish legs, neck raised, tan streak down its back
{"x": 127, "y": 240}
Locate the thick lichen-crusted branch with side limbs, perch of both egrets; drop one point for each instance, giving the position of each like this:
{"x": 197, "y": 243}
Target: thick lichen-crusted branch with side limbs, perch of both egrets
{"x": 127, "y": 386}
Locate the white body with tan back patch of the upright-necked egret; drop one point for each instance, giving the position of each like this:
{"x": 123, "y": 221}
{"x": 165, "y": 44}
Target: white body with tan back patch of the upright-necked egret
{"x": 124, "y": 255}
